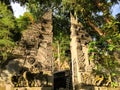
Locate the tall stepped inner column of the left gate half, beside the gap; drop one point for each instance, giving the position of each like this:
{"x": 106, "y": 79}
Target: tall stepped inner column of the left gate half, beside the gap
{"x": 44, "y": 54}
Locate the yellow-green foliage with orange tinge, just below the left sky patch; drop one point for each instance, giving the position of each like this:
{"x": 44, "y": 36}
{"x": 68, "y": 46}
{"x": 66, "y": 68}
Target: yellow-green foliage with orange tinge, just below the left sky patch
{"x": 21, "y": 24}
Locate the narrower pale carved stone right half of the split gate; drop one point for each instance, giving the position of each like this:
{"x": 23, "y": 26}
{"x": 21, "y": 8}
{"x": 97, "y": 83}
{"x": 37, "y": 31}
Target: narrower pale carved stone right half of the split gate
{"x": 81, "y": 66}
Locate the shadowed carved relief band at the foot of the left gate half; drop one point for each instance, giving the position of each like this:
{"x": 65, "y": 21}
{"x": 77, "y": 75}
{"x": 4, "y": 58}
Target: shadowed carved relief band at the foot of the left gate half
{"x": 30, "y": 79}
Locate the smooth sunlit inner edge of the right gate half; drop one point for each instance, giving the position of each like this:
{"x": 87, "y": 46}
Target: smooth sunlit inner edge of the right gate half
{"x": 73, "y": 47}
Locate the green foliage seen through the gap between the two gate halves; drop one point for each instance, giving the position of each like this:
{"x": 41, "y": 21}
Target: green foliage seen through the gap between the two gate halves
{"x": 61, "y": 35}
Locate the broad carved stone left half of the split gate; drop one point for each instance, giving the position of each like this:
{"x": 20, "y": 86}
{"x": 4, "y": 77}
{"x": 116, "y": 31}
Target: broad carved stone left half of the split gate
{"x": 33, "y": 52}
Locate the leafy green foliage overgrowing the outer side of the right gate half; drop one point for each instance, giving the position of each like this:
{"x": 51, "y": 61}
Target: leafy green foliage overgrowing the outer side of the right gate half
{"x": 101, "y": 53}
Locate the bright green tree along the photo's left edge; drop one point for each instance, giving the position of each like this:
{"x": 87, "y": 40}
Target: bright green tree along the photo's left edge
{"x": 7, "y": 25}
